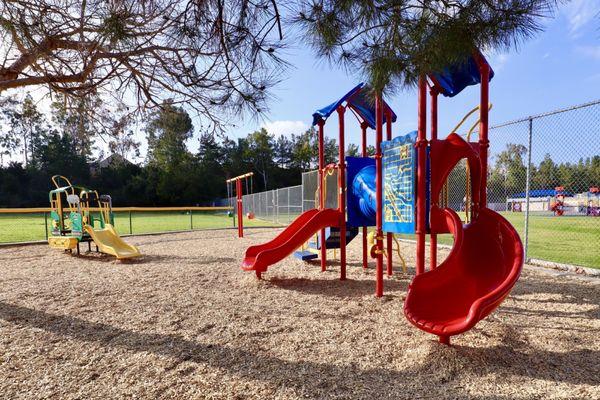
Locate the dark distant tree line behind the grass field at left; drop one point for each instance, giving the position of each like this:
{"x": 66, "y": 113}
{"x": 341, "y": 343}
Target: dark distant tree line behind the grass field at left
{"x": 33, "y": 147}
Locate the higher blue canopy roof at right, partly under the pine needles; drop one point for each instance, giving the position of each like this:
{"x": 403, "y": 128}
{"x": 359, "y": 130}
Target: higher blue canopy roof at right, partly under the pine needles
{"x": 454, "y": 78}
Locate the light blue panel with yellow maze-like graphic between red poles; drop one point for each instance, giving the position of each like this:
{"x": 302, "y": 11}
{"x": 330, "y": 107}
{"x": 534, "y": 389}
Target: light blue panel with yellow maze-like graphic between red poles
{"x": 399, "y": 177}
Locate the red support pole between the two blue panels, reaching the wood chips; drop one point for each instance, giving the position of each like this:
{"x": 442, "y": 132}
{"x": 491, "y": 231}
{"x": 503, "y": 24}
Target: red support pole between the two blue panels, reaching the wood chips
{"x": 379, "y": 195}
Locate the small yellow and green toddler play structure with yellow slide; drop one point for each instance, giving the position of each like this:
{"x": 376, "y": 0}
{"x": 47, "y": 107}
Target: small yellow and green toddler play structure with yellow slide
{"x": 75, "y": 221}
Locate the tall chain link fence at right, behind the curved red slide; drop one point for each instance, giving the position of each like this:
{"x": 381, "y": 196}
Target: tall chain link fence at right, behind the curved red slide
{"x": 544, "y": 174}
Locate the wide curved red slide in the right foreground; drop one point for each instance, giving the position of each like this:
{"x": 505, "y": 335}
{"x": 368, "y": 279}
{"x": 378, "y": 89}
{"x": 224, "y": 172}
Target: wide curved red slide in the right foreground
{"x": 483, "y": 266}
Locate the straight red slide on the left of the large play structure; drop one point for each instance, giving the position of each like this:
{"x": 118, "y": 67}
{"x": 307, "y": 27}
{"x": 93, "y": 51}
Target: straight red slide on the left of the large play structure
{"x": 258, "y": 258}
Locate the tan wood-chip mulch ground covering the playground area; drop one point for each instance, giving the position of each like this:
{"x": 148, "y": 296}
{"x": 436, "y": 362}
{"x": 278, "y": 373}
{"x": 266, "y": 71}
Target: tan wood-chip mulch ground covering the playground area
{"x": 185, "y": 322}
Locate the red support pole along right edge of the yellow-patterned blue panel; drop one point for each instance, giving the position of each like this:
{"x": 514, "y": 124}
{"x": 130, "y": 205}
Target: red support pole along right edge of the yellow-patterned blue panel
{"x": 421, "y": 175}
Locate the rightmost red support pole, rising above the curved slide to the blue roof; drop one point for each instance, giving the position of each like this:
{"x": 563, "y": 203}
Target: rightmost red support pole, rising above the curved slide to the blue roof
{"x": 484, "y": 143}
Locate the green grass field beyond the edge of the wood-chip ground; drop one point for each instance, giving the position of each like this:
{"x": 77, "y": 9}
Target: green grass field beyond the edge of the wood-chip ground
{"x": 570, "y": 240}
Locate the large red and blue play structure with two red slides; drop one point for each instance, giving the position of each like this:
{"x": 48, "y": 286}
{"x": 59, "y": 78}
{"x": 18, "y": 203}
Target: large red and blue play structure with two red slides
{"x": 400, "y": 190}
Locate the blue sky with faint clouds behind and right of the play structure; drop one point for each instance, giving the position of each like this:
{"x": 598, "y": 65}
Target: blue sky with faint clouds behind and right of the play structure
{"x": 558, "y": 68}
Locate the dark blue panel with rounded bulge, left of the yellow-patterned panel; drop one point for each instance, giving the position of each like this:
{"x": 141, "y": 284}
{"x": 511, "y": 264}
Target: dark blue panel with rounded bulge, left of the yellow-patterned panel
{"x": 361, "y": 197}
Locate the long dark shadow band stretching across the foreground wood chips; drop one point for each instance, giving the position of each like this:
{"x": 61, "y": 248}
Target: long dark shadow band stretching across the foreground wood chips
{"x": 440, "y": 371}
